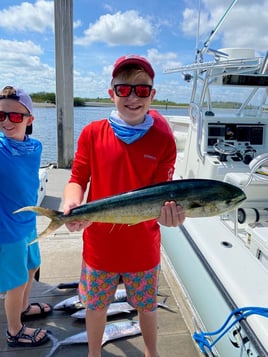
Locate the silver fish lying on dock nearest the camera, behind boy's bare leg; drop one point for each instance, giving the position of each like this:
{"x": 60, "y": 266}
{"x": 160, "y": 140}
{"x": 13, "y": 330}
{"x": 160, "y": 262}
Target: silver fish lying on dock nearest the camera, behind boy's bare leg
{"x": 112, "y": 331}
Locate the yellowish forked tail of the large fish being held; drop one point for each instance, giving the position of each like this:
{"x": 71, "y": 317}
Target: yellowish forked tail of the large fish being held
{"x": 55, "y": 223}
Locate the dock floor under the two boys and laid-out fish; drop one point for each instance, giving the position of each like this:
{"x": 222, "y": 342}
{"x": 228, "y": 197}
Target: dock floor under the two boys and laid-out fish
{"x": 61, "y": 259}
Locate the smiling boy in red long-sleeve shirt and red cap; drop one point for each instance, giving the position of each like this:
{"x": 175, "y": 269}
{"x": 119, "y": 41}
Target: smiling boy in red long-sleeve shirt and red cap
{"x": 133, "y": 148}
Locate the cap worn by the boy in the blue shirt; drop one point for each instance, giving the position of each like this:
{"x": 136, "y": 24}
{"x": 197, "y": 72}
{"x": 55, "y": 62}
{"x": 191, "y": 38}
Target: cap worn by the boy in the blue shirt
{"x": 9, "y": 92}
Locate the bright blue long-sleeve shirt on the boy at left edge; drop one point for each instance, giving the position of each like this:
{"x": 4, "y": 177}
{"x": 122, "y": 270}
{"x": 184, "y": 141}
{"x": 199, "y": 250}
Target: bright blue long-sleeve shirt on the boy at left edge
{"x": 19, "y": 183}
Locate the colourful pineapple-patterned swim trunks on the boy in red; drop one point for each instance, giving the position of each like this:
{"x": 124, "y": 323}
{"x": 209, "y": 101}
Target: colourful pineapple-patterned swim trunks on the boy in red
{"x": 97, "y": 288}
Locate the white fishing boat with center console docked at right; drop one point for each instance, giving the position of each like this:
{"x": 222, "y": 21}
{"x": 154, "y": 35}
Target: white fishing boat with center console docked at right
{"x": 221, "y": 262}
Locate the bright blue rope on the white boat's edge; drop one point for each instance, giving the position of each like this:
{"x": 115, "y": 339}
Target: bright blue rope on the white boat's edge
{"x": 201, "y": 337}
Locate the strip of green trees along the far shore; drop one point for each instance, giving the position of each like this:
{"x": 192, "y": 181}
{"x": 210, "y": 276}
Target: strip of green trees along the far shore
{"x": 44, "y": 97}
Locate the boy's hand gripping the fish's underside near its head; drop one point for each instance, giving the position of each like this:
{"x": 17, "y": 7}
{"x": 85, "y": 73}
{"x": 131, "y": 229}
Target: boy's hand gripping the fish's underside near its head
{"x": 171, "y": 215}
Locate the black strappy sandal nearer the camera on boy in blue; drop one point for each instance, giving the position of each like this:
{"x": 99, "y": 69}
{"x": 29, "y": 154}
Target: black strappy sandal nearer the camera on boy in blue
{"x": 14, "y": 341}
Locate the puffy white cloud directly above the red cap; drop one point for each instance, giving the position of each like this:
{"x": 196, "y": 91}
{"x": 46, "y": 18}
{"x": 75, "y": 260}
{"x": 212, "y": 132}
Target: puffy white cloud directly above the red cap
{"x": 121, "y": 28}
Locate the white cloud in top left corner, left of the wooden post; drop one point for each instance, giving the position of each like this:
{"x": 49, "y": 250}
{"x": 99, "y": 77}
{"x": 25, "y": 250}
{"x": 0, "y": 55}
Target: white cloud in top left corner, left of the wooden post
{"x": 36, "y": 17}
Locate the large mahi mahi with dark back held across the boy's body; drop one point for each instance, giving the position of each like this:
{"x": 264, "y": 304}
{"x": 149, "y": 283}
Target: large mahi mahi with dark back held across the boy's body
{"x": 197, "y": 197}
